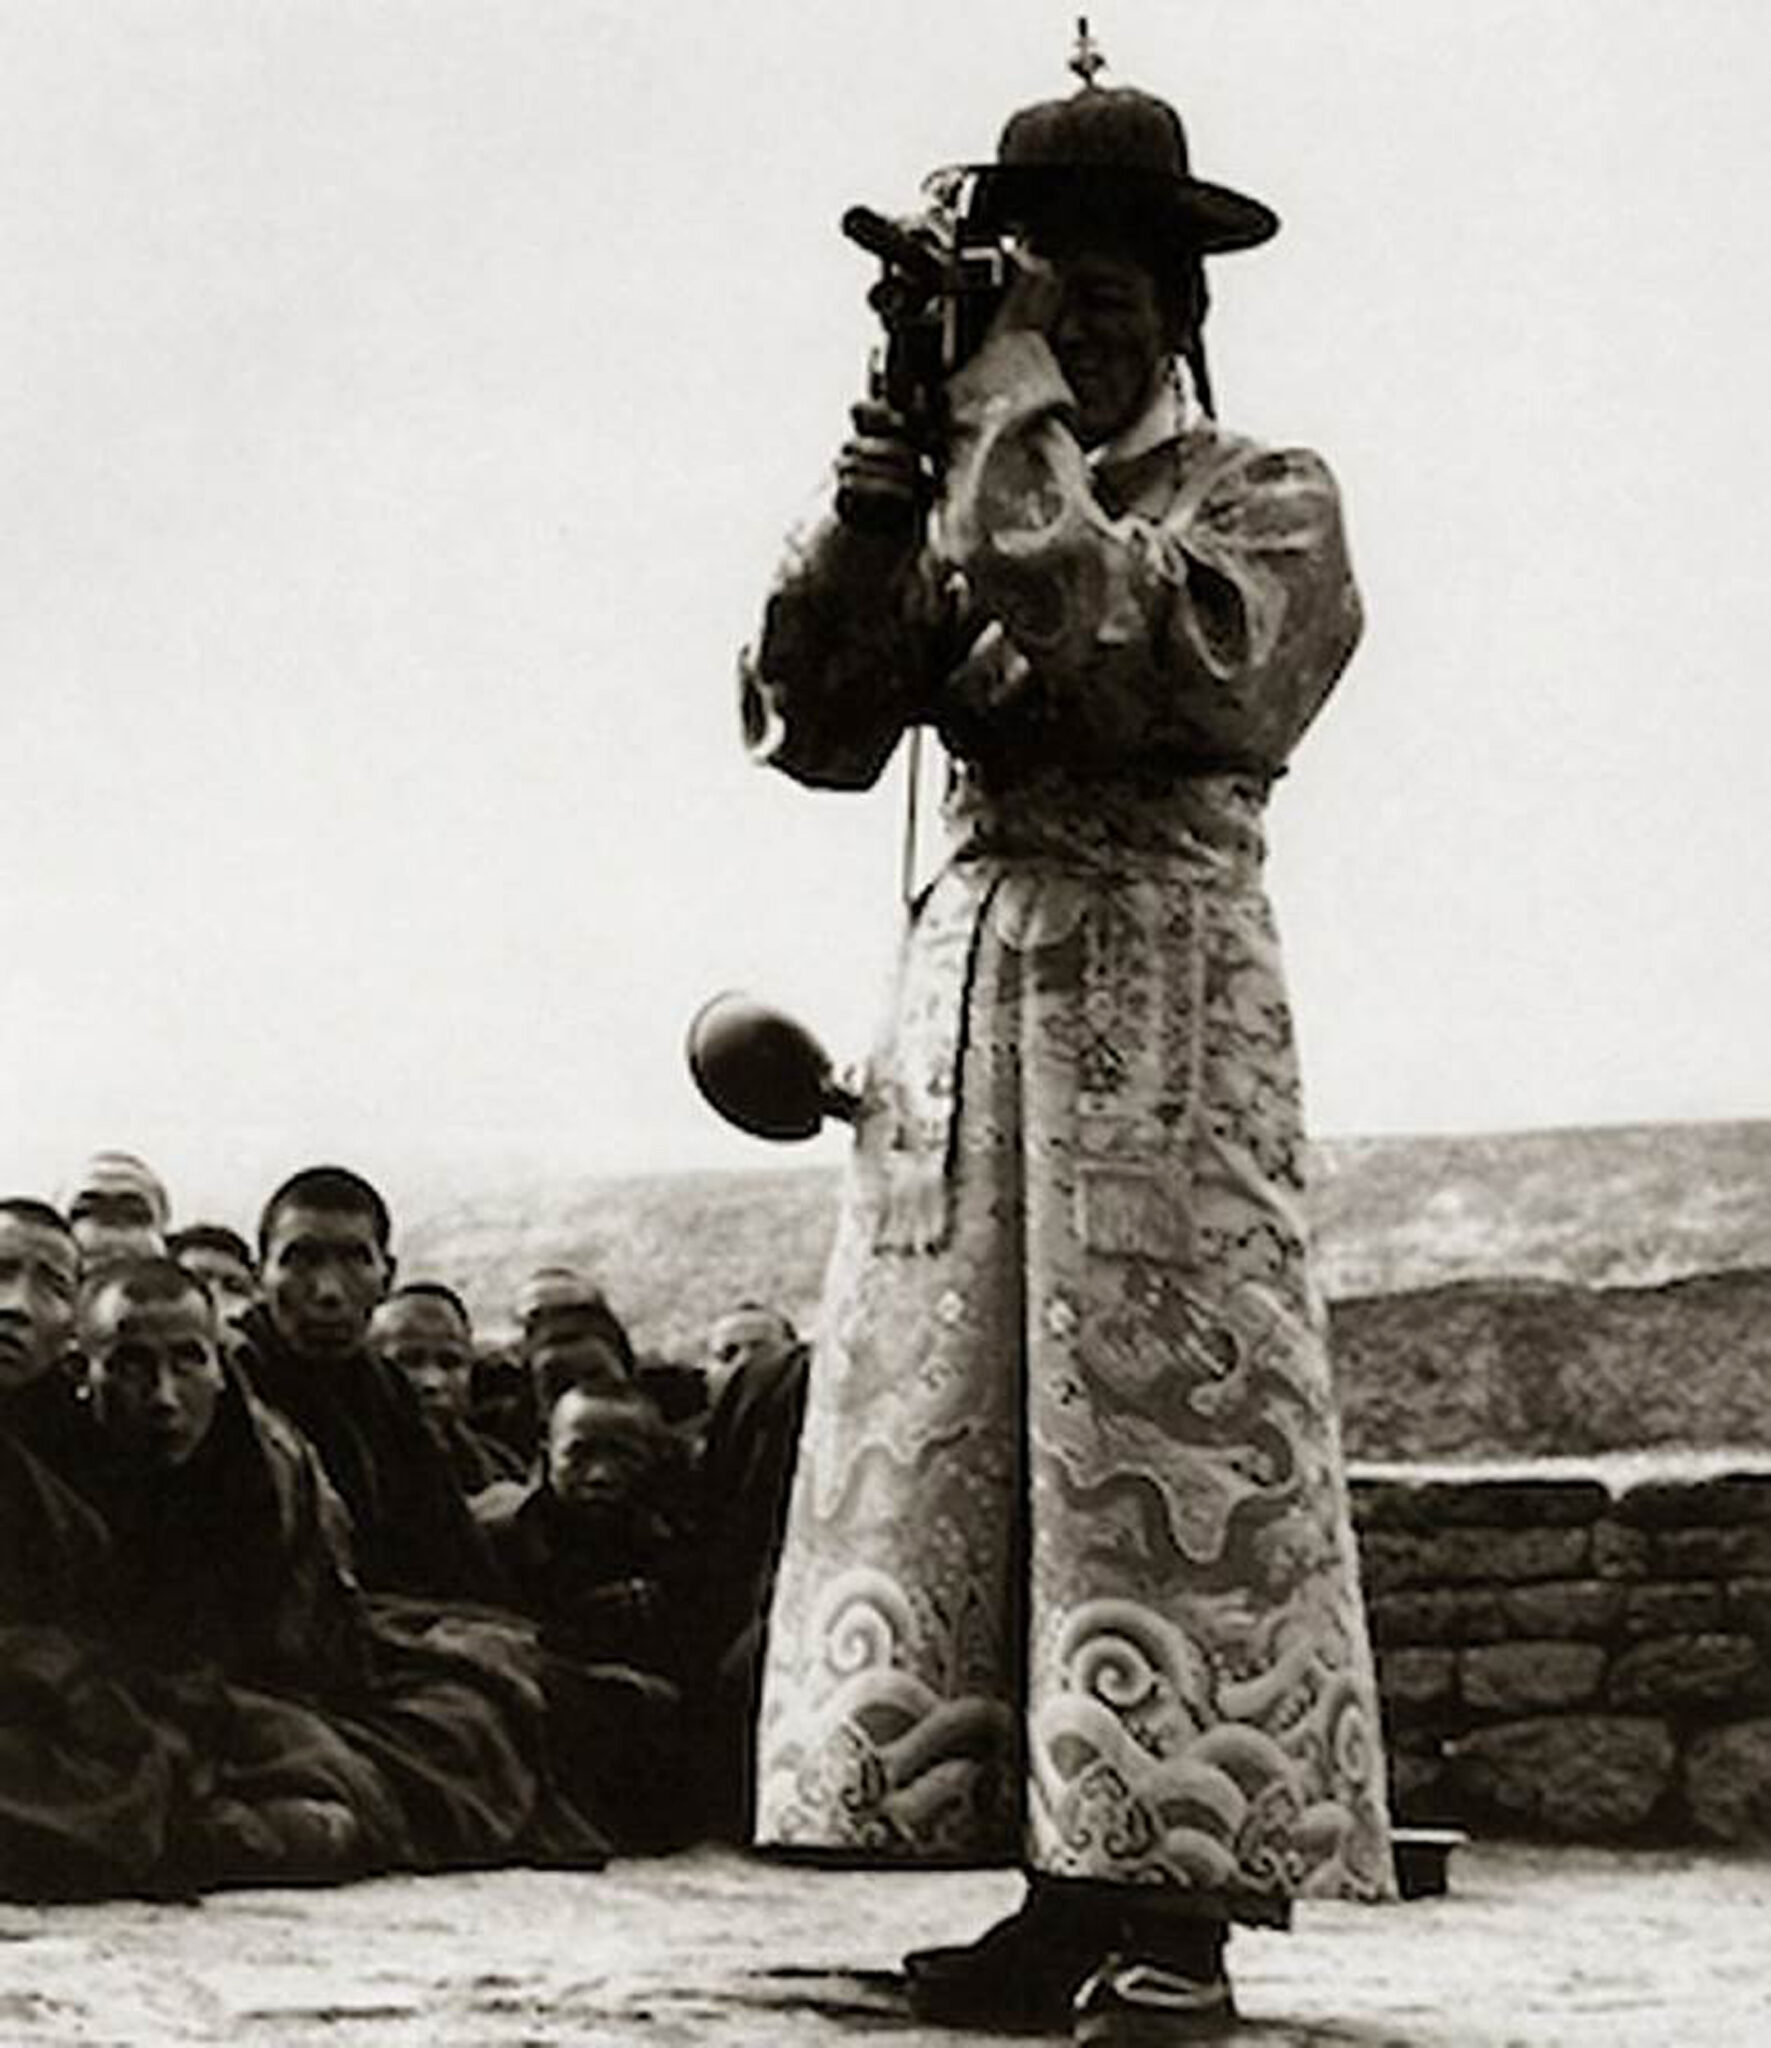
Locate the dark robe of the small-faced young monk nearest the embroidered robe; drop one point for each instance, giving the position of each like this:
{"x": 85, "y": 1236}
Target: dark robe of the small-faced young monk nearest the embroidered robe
{"x": 611, "y": 1609}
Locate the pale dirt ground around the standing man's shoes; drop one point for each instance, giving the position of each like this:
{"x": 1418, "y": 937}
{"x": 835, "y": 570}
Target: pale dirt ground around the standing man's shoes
{"x": 1553, "y": 1949}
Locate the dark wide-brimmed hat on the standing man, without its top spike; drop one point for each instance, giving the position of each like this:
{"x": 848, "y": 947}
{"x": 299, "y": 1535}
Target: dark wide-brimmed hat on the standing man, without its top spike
{"x": 1123, "y": 153}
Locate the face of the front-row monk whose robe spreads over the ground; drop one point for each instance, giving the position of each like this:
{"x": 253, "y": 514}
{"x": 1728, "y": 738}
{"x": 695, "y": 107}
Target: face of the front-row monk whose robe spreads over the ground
{"x": 155, "y": 1371}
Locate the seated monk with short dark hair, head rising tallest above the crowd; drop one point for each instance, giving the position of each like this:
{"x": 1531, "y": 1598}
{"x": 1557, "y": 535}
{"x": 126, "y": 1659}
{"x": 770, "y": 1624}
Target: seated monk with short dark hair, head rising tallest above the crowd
{"x": 327, "y": 1263}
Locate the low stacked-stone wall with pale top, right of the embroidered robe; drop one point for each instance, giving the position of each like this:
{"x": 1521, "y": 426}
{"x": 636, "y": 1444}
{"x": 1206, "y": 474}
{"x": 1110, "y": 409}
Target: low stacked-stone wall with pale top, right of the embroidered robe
{"x": 1575, "y": 1650}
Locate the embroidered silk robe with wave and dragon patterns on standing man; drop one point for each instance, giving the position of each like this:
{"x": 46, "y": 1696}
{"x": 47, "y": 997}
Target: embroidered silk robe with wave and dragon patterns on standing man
{"x": 1070, "y": 1574}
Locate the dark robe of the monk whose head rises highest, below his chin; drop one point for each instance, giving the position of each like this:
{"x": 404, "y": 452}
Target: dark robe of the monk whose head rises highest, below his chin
{"x": 413, "y": 1529}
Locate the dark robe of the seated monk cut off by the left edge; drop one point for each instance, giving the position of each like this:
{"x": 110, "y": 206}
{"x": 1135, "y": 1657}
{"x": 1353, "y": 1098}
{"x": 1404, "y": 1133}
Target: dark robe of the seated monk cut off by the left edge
{"x": 91, "y": 1781}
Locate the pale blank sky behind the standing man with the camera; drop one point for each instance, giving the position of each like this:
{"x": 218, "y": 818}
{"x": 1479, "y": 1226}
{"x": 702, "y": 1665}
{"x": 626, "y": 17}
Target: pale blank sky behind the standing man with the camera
{"x": 402, "y": 413}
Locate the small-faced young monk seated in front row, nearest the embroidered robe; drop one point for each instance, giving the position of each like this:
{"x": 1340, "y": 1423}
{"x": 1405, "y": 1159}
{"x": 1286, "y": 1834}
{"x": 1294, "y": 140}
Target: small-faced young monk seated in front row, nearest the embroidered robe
{"x": 593, "y": 1555}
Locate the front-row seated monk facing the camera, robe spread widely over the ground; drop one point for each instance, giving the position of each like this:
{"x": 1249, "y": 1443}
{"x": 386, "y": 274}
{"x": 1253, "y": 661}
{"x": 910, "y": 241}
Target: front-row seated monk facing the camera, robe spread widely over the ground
{"x": 349, "y": 1734}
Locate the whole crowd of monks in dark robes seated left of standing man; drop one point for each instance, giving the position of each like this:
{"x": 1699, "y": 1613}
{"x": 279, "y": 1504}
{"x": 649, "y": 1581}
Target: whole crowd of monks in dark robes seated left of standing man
{"x": 298, "y": 1586}
